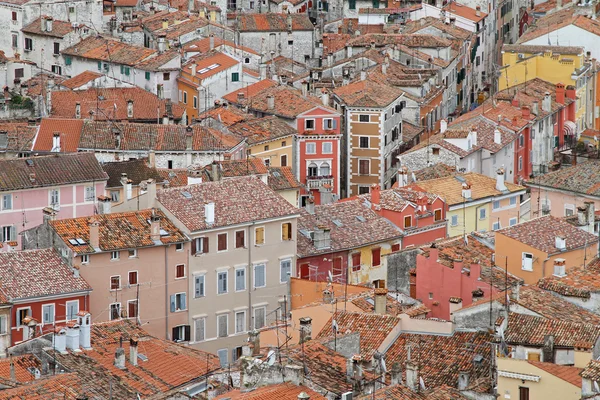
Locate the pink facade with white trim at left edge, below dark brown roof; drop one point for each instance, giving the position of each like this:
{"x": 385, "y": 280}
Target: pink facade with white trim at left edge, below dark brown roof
{"x": 25, "y": 209}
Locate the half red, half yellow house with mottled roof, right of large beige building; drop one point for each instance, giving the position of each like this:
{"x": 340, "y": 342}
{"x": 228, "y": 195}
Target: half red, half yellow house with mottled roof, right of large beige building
{"x": 344, "y": 242}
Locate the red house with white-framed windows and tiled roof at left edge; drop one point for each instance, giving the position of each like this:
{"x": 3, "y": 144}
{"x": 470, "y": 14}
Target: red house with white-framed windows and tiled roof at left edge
{"x": 44, "y": 292}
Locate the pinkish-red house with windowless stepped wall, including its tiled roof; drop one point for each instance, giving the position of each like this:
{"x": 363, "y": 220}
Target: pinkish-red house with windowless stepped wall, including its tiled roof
{"x": 456, "y": 273}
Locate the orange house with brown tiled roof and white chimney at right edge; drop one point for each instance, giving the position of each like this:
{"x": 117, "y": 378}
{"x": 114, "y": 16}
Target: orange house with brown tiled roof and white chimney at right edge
{"x": 544, "y": 246}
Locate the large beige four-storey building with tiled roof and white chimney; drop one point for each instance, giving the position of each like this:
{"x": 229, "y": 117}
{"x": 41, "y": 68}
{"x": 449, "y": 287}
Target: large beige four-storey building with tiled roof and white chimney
{"x": 242, "y": 256}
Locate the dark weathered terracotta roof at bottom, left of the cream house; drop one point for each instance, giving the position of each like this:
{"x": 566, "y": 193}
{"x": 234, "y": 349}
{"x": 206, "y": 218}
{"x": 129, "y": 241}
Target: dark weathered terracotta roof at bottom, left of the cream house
{"x": 442, "y": 357}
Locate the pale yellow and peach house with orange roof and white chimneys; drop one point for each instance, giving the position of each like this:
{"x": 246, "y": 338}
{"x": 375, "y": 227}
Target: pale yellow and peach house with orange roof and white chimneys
{"x": 476, "y": 202}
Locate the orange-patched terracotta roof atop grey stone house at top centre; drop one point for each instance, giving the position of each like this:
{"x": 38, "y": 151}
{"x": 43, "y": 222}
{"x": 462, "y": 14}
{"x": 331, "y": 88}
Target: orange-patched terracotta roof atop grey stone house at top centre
{"x": 273, "y": 22}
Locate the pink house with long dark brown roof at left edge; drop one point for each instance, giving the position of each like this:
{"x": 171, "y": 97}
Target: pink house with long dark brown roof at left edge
{"x": 68, "y": 184}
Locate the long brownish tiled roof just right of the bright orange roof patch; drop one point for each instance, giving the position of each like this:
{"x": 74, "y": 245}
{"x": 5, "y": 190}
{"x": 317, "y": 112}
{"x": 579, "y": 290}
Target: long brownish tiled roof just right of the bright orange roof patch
{"x": 100, "y": 135}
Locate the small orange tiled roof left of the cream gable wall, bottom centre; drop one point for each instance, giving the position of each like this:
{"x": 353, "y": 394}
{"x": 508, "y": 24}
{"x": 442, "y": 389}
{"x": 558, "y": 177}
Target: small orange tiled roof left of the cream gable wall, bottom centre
{"x": 351, "y": 322}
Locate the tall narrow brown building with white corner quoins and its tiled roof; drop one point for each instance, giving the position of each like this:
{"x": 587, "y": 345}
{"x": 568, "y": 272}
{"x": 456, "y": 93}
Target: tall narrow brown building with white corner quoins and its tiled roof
{"x": 372, "y": 115}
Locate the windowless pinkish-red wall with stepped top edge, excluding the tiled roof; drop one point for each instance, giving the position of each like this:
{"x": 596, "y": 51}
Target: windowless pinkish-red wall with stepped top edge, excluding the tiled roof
{"x": 437, "y": 283}
